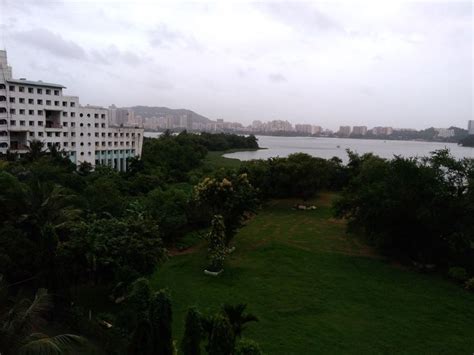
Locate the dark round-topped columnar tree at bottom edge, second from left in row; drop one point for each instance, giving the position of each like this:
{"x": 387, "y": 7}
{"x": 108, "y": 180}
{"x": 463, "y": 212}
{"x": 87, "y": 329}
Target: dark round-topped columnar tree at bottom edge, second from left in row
{"x": 160, "y": 319}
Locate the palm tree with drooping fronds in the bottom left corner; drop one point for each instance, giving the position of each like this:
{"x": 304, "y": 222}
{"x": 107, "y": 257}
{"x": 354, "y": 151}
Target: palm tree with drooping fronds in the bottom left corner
{"x": 19, "y": 326}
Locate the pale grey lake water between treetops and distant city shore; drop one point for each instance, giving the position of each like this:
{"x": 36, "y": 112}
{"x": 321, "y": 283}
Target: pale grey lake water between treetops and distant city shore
{"x": 330, "y": 147}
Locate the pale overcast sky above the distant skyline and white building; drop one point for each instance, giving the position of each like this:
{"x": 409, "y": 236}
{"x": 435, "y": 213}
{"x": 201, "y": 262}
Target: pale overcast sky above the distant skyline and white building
{"x": 392, "y": 63}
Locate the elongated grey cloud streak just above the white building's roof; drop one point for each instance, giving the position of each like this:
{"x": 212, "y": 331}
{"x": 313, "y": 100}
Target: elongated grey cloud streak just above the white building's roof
{"x": 53, "y": 43}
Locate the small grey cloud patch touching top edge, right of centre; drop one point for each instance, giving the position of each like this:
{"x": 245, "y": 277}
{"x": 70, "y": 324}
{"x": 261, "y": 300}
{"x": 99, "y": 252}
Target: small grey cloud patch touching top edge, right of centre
{"x": 301, "y": 16}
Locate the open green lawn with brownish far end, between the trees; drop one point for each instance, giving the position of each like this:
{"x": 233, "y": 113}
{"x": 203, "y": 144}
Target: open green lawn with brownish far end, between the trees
{"x": 316, "y": 290}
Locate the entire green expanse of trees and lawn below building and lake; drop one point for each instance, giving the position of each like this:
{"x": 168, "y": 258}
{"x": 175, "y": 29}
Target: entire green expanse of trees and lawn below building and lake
{"x": 123, "y": 253}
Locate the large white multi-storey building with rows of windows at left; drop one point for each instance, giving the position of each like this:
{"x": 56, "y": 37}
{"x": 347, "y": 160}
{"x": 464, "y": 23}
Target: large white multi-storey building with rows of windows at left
{"x": 36, "y": 110}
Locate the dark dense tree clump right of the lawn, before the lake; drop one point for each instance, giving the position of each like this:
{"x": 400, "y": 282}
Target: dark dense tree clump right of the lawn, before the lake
{"x": 419, "y": 209}
